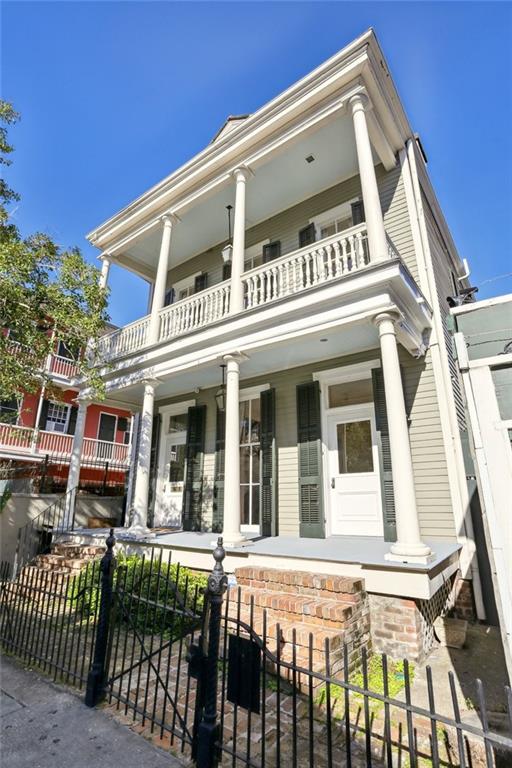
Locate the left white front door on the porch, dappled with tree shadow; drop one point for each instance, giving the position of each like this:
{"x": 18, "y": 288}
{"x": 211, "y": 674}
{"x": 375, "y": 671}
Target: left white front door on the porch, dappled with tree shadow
{"x": 171, "y": 481}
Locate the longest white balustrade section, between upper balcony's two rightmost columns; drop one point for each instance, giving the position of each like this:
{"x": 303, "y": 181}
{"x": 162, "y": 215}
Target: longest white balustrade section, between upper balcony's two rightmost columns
{"x": 333, "y": 257}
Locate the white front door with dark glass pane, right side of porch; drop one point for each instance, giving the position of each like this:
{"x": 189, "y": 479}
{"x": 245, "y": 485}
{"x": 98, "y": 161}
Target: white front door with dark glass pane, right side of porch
{"x": 353, "y": 472}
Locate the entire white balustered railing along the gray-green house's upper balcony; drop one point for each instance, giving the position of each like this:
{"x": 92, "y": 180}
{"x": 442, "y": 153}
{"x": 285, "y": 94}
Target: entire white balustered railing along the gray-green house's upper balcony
{"x": 337, "y": 256}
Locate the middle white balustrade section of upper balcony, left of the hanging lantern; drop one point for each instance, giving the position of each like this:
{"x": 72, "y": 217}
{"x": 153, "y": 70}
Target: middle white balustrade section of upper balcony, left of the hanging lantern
{"x": 197, "y": 311}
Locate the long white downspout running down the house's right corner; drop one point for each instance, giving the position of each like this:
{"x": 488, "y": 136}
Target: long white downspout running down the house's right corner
{"x": 465, "y": 534}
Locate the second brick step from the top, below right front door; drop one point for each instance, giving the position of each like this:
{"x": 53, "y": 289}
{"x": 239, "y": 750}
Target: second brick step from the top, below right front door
{"x": 303, "y": 607}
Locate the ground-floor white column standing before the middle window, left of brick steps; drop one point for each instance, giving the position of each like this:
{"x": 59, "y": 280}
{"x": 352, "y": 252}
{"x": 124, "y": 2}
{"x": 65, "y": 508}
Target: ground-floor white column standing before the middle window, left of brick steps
{"x": 231, "y": 527}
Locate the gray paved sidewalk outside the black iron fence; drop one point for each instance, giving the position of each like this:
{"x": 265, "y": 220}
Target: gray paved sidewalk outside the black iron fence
{"x": 47, "y": 726}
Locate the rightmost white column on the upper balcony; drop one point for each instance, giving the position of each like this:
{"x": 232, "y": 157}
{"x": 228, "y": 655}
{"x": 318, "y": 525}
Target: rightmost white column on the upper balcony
{"x": 373, "y": 211}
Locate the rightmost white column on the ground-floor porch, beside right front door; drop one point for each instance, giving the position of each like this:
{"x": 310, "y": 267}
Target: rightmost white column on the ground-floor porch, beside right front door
{"x": 409, "y": 546}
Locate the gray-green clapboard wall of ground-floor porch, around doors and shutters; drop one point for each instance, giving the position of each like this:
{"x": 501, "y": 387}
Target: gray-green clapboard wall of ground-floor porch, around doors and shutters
{"x": 430, "y": 471}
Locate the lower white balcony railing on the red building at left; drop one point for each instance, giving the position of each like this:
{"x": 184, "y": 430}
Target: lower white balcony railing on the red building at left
{"x": 20, "y": 440}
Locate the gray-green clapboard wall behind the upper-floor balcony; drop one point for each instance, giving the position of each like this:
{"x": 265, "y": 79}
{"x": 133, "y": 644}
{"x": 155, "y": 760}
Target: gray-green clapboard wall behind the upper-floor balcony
{"x": 285, "y": 226}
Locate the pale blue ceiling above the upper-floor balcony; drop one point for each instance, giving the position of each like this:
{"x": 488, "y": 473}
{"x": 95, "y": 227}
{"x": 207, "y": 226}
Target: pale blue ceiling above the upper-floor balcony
{"x": 282, "y": 179}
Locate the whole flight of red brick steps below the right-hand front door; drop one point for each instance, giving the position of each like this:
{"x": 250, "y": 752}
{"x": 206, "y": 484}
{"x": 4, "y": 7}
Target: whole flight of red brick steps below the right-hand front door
{"x": 314, "y": 609}
